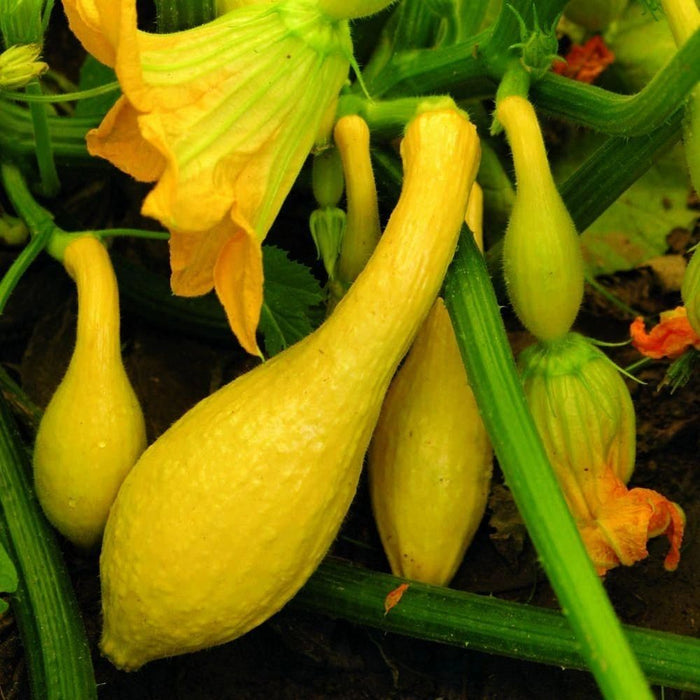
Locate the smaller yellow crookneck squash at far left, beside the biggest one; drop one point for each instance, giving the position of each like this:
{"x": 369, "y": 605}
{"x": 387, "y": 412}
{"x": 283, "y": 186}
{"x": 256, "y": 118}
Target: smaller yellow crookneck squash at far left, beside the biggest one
{"x": 93, "y": 429}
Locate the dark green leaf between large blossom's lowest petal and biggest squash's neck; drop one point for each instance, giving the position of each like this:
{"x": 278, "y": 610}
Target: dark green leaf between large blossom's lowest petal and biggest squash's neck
{"x": 291, "y": 306}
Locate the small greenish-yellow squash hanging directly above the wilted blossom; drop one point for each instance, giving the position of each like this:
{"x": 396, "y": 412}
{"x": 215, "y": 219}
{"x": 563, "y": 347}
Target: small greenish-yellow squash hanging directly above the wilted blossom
{"x": 543, "y": 264}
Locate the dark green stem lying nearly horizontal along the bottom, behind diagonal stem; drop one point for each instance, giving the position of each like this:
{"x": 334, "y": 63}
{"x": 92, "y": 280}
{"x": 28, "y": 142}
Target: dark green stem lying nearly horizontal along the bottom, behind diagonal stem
{"x": 484, "y": 623}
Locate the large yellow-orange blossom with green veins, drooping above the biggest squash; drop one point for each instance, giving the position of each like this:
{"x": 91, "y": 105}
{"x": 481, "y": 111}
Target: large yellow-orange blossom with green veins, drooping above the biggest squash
{"x": 221, "y": 117}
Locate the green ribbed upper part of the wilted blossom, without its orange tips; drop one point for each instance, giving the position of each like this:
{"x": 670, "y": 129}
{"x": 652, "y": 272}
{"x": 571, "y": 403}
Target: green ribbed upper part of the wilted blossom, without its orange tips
{"x": 582, "y": 409}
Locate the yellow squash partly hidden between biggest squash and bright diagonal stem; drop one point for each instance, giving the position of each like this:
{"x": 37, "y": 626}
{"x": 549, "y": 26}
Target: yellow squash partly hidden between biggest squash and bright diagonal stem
{"x": 430, "y": 459}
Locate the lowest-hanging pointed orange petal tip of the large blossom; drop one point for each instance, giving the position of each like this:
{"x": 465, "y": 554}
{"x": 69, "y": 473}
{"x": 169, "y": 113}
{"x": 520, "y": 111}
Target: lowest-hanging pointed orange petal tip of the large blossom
{"x": 238, "y": 280}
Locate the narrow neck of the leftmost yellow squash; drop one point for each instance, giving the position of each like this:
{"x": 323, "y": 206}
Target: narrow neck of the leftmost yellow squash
{"x": 87, "y": 262}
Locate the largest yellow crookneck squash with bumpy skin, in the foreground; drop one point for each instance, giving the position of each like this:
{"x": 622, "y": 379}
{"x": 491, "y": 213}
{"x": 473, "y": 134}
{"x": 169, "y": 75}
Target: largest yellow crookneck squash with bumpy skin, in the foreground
{"x": 229, "y": 512}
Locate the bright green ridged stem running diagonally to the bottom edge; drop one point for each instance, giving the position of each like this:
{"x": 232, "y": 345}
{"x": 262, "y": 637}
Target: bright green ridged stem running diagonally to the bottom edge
{"x": 479, "y": 329}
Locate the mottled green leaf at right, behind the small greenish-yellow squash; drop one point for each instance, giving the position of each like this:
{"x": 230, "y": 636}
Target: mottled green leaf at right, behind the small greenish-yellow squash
{"x": 635, "y": 227}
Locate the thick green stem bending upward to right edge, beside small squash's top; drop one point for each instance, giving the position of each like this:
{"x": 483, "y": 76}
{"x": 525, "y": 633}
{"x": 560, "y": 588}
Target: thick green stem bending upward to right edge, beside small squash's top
{"x": 623, "y": 115}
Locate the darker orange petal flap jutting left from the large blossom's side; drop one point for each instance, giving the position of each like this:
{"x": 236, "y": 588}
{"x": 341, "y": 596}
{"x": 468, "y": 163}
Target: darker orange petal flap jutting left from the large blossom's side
{"x": 119, "y": 140}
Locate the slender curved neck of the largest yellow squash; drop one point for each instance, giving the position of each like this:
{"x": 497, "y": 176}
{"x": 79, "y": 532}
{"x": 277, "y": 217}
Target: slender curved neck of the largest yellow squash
{"x": 391, "y": 297}
